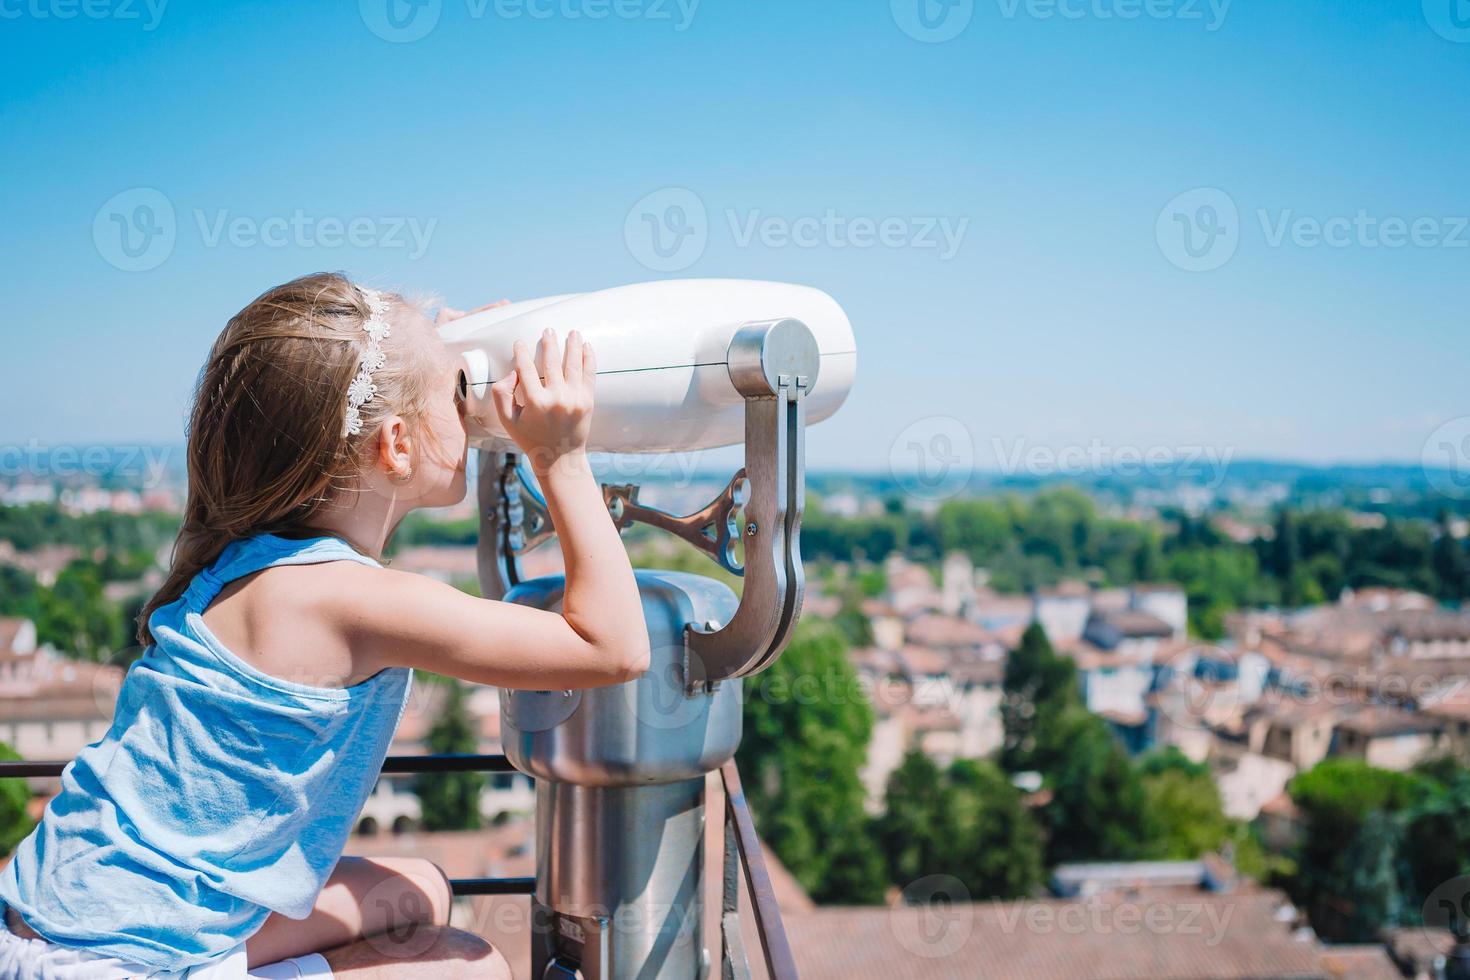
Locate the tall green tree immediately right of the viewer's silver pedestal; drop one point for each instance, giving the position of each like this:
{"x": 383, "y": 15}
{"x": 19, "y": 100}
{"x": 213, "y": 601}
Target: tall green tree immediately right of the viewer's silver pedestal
{"x": 806, "y": 740}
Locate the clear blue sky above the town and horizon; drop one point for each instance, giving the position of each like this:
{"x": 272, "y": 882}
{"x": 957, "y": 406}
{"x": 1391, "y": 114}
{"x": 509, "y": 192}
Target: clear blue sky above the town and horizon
{"x": 1065, "y": 148}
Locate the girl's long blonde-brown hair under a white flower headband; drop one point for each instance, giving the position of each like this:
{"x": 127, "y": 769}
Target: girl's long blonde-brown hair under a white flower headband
{"x": 267, "y": 450}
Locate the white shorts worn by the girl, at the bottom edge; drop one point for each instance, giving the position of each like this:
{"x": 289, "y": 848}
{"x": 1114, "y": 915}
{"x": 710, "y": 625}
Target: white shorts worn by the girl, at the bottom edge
{"x": 24, "y": 959}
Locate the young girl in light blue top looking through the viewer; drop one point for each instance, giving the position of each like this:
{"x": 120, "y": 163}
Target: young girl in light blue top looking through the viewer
{"x": 202, "y": 837}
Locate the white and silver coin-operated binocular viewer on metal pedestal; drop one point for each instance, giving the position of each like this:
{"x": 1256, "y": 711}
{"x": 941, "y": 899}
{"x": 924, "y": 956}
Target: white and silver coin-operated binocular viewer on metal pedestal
{"x": 683, "y": 367}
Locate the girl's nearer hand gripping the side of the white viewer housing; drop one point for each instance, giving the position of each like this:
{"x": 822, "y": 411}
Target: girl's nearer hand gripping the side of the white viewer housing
{"x": 548, "y": 405}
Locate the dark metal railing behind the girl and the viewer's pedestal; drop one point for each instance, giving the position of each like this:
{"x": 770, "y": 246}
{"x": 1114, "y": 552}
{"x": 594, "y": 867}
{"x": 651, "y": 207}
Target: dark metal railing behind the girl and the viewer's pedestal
{"x": 742, "y": 851}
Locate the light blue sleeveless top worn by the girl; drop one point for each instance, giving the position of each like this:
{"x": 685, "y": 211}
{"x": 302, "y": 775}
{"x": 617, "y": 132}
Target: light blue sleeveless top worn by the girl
{"x": 220, "y": 794}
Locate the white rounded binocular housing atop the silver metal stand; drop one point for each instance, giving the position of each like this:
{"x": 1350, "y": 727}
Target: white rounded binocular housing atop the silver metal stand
{"x": 665, "y": 361}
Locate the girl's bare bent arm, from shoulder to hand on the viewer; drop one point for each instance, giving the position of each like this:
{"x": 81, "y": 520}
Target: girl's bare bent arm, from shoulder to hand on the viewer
{"x": 599, "y": 637}
